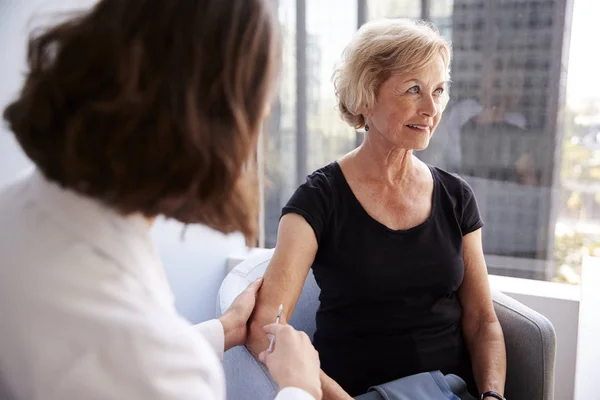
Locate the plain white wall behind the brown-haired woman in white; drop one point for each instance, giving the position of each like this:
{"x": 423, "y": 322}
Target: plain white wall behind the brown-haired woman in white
{"x": 195, "y": 266}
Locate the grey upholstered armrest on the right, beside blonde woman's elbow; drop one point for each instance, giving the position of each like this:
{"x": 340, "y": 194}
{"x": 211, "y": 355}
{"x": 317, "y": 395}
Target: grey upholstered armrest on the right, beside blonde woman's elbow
{"x": 530, "y": 350}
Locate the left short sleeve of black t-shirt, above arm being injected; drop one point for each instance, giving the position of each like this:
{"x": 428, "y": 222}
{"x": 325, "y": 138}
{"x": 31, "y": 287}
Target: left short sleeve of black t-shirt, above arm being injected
{"x": 313, "y": 201}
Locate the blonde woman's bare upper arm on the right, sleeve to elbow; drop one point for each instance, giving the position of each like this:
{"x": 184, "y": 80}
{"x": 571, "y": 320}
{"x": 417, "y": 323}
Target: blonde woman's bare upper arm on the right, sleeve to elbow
{"x": 474, "y": 292}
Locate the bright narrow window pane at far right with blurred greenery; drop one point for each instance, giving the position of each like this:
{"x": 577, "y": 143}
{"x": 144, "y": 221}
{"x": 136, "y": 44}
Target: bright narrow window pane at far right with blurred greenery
{"x": 577, "y": 231}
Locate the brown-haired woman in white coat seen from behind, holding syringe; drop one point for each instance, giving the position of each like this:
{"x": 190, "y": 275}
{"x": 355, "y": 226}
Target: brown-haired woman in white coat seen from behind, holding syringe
{"x": 133, "y": 110}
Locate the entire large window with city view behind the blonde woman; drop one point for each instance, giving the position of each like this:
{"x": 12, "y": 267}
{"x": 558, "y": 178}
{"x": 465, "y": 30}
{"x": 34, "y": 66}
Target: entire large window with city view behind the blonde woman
{"x": 533, "y": 165}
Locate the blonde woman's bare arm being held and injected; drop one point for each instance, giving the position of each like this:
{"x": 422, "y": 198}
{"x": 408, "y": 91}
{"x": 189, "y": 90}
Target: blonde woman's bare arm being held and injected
{"x": 283, "y": 283}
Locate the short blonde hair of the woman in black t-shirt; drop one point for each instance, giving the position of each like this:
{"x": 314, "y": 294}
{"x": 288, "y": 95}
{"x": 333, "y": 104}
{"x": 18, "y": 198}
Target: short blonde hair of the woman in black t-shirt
{"x": 379, "y": 49}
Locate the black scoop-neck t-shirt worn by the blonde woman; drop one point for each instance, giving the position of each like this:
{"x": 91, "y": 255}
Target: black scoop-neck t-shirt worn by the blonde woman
{"x": 389, "y": 305}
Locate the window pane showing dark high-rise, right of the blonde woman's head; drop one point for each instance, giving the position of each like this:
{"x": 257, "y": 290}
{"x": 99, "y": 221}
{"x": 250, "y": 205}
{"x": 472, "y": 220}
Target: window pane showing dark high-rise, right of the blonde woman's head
{"x": 501, "y": 131}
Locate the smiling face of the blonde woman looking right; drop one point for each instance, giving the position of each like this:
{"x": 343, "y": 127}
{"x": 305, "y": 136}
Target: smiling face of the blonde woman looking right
{"x": 409, "y": 106}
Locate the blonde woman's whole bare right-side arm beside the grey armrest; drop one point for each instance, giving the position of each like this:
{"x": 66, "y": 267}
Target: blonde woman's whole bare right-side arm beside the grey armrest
{"x": 481, "y": 328}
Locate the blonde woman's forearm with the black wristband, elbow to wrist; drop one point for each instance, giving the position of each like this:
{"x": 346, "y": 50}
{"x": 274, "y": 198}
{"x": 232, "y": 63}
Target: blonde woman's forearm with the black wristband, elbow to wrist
{"x": 488, "y": 356}
